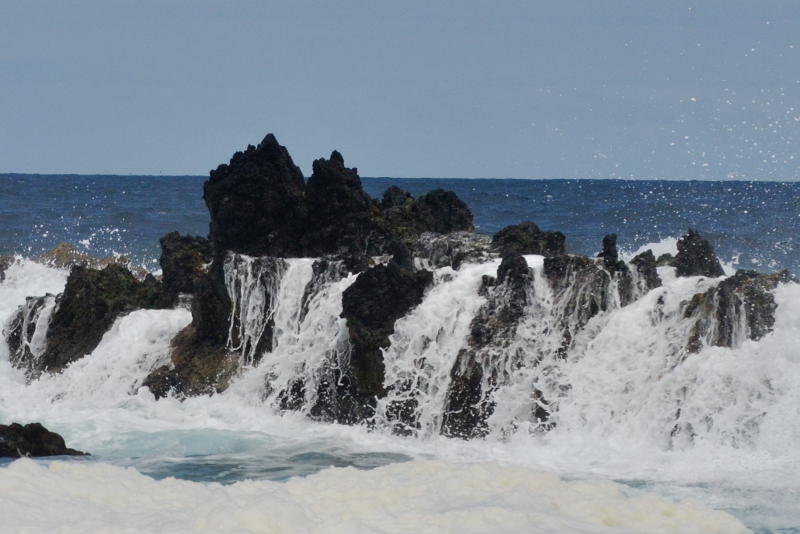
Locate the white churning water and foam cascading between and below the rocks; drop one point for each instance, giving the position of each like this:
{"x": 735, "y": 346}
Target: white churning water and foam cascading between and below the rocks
{"x": 615, "y": 460}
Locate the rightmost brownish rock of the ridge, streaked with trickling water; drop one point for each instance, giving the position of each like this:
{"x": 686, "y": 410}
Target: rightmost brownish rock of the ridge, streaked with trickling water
{"x": 738, "y": 308}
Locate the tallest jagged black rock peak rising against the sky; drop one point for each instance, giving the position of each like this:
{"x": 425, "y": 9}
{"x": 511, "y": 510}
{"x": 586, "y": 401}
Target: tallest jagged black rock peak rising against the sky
{"x": 256, "y": 201}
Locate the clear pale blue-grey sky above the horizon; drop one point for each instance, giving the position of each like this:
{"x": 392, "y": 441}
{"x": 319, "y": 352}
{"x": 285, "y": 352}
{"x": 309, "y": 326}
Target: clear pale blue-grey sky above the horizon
{"x": 505, "y": 89}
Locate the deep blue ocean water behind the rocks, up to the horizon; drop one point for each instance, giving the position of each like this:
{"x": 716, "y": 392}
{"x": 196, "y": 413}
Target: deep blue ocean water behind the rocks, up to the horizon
{"x": 752, "y": 224}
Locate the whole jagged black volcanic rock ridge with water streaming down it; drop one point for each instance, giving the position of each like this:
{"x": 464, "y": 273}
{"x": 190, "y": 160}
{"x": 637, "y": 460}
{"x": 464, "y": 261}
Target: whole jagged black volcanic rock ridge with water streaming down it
{"x": 264, "y": 212}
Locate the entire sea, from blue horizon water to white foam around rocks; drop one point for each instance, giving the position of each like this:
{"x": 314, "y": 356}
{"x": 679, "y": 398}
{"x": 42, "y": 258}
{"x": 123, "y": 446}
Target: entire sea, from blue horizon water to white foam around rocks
{"x": 233, "y": 462}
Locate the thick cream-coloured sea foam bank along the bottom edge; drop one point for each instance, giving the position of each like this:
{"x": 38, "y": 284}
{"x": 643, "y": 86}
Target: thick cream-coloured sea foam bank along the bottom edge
{"x": 419, "y": 496}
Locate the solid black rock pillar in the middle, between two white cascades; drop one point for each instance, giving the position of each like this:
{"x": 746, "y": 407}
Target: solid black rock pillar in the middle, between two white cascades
{"x": 379, "y": 297}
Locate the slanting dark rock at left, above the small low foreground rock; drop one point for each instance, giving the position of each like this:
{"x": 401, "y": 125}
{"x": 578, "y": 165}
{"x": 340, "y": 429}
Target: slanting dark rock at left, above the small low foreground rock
{"x": 91, "y": 301}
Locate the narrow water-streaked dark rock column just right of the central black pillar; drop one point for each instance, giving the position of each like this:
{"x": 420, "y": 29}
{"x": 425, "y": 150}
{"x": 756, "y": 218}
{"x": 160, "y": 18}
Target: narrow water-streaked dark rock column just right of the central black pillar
{"x": 469, "y": 404}
